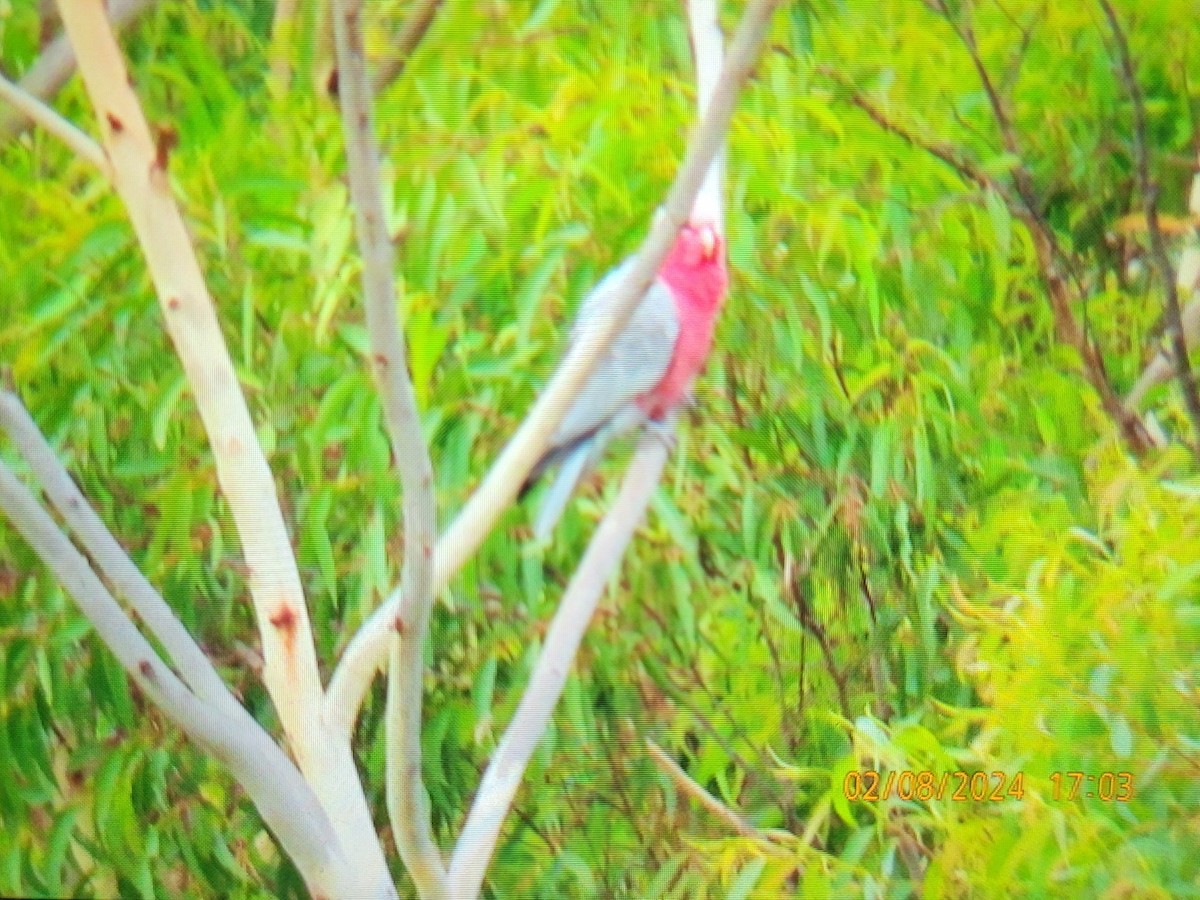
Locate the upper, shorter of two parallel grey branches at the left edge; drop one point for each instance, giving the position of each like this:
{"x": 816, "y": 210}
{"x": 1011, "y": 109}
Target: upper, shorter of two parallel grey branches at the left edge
{"x": 112, "y": 560}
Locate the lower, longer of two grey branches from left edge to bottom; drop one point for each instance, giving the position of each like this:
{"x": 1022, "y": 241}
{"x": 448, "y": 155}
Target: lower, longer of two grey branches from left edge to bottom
{"x": 281, "y": 795}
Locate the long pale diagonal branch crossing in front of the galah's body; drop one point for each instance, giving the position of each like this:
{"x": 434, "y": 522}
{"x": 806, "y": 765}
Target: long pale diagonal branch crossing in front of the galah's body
{"x": 369, "y": 649}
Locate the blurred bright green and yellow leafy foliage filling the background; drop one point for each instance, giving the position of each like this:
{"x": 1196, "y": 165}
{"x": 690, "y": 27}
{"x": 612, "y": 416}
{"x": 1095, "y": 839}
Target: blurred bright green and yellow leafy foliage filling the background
{"x": 898, "y": 533}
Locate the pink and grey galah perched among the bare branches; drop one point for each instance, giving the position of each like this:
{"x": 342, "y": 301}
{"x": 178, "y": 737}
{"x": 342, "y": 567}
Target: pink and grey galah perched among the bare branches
{"x": 650, "y": 367}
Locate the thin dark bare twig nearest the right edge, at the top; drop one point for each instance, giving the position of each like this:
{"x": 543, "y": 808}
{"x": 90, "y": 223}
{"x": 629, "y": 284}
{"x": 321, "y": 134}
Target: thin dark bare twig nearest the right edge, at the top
{"x": 1150, "y": 207}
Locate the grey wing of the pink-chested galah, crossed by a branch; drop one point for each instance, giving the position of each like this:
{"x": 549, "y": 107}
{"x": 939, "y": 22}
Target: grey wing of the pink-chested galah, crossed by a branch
{"x": 635, "y": 362}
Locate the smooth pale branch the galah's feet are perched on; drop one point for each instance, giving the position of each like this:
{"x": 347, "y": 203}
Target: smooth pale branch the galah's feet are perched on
{"x": 477, "y": 842}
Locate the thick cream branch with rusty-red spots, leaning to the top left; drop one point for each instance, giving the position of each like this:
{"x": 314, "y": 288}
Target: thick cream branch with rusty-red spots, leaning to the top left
{"x": 290, "y": 657}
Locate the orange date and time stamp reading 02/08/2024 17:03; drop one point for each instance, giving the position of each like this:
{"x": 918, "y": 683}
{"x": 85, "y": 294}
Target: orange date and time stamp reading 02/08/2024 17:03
{"x": 869, "y": 785}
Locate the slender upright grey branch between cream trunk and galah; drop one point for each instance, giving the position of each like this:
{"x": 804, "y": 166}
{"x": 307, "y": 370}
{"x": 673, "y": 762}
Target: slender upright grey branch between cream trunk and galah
{"x": 407, "y": 800}
